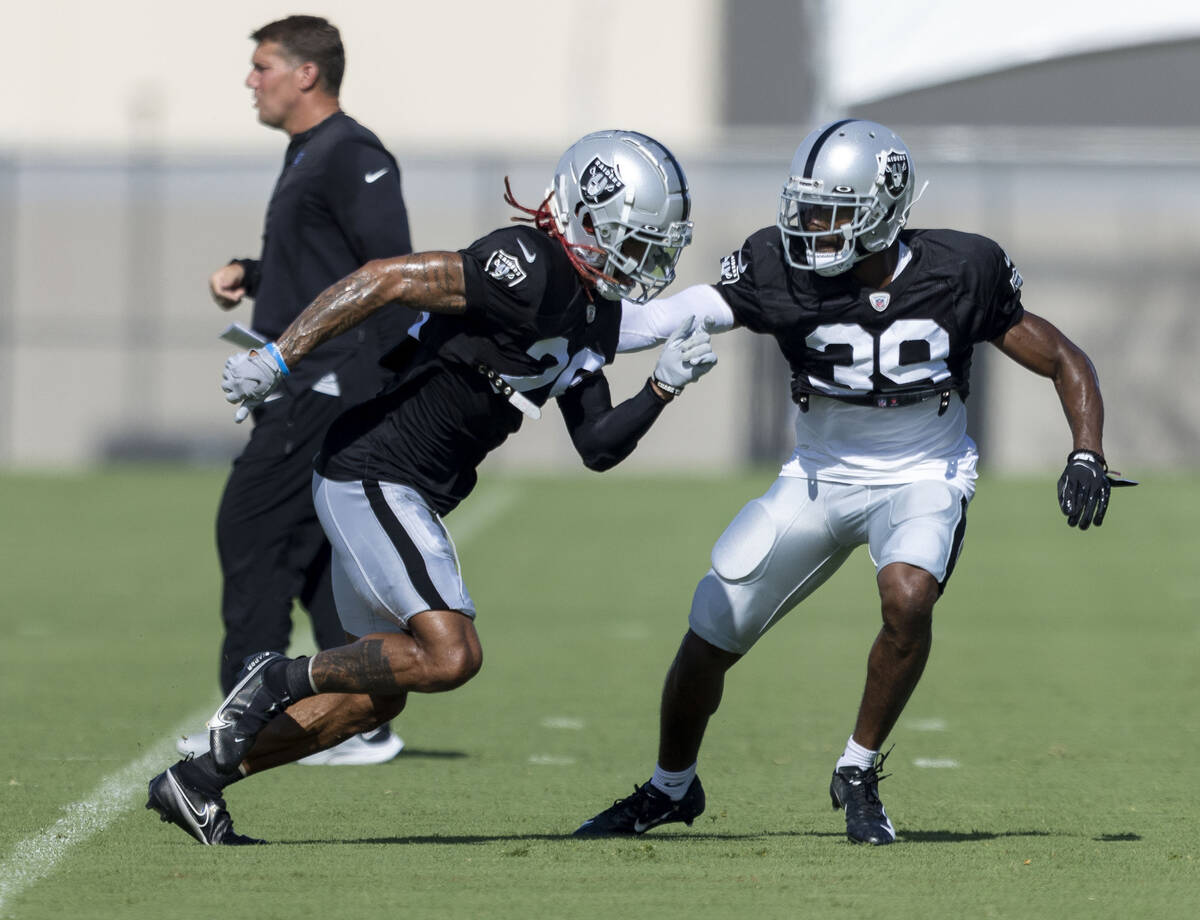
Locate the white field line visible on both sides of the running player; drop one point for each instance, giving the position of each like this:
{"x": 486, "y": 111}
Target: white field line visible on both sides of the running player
{"x": 35, "y": 858}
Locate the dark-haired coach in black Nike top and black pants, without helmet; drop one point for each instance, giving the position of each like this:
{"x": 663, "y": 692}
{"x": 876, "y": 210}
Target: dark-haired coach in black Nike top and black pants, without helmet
{"x": 337, "y": 206}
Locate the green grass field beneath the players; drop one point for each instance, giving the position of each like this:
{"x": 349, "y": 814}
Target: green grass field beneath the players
{"x": 1063, "y": 688}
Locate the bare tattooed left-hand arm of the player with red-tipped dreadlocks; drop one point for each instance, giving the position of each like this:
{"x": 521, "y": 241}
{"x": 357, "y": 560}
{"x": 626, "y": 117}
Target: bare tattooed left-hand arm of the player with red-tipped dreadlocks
{"x": 427, "y": 281}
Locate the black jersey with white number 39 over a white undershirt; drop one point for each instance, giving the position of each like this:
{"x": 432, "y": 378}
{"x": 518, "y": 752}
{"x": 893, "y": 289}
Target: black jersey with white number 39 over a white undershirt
{"x": 886, "y": 347}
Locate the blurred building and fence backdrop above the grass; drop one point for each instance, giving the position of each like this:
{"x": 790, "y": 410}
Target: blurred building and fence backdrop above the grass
{"x": 1077, "y": 152}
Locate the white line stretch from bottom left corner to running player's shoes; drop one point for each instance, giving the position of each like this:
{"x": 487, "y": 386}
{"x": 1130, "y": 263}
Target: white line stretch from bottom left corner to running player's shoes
{"x": 35, "y": 858}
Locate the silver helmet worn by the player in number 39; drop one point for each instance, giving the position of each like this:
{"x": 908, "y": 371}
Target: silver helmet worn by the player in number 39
{"x": 849, "y": 196}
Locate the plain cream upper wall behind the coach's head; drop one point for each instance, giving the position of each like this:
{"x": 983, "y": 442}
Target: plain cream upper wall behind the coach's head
{"x": 463, "y": 74}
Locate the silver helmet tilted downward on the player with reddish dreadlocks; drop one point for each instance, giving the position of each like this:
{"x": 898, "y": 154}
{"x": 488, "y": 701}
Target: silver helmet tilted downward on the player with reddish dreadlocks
{"x": 621, "y": 203}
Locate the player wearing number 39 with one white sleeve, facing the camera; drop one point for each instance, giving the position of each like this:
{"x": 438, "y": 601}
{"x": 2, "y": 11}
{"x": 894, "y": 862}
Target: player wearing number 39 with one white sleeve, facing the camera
{"x": 878, "y": 324}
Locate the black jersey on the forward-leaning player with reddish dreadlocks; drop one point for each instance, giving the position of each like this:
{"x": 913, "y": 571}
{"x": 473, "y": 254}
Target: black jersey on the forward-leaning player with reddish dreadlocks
{"x": 529, "y": 320}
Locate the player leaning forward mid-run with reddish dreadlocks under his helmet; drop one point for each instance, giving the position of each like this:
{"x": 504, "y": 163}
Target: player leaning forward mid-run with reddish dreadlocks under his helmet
{"x": 525, "y": 315}
